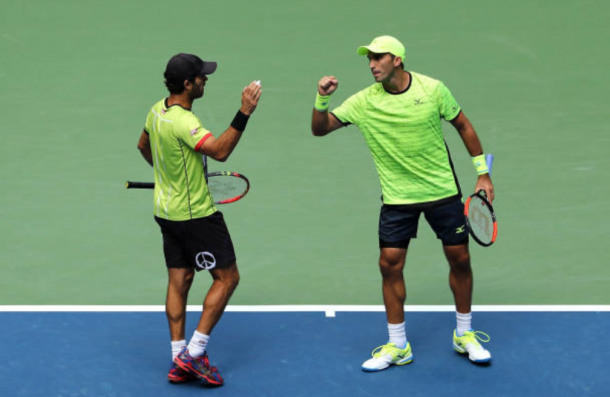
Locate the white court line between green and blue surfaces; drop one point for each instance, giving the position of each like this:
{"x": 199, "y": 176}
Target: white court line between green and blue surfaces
{"x": 329, "y": 310}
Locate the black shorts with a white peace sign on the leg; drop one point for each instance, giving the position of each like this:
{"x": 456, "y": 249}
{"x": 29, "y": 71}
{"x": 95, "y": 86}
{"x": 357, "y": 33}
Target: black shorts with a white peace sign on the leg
{"x": 202, "y": 243}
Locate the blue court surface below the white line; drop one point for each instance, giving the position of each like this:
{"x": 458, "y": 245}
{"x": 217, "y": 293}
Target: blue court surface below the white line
{"x": 304, "y": 354}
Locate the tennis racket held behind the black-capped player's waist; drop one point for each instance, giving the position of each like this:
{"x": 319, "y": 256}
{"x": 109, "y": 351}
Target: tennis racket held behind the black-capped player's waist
{"x": 225, "y": 186}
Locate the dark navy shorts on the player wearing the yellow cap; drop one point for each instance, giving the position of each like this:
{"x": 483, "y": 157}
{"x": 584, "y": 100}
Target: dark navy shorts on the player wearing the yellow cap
{"x": 398, "y": 223}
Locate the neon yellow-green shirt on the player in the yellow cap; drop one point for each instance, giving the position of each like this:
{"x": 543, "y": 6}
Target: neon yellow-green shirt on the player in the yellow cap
{"x": 405, "y": 137}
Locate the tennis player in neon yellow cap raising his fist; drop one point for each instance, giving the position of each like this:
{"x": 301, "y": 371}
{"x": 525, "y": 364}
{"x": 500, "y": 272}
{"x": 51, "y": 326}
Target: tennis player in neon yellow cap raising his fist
{"x": 400, "y": 118}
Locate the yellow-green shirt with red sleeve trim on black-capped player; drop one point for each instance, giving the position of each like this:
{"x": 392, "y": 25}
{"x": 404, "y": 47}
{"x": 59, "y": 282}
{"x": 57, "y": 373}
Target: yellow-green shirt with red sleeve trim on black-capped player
{"x": 181, "y": 192}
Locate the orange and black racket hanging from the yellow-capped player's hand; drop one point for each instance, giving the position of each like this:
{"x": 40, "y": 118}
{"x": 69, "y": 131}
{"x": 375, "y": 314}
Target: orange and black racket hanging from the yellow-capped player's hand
{"x": 480, "y": 215}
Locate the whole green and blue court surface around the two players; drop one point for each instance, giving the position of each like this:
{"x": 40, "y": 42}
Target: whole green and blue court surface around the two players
{"x": 83, "y": 276}
